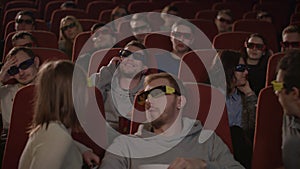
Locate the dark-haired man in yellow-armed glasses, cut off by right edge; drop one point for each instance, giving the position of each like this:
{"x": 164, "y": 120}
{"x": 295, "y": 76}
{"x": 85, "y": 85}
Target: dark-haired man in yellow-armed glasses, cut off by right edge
{"x": 287, "y": 88}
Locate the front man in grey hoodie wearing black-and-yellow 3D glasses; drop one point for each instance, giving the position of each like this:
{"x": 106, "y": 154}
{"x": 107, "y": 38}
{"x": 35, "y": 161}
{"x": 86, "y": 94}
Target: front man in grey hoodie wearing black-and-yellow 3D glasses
{"x": 171, "y": 140}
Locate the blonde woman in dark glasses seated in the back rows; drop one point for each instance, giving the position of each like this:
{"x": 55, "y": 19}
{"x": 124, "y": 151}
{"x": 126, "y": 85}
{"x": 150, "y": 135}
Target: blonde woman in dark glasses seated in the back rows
{"x": 69, "y": 29}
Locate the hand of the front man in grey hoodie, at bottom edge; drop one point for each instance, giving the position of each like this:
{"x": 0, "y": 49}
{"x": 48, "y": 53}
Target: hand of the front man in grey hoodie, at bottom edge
{"x": 185, "y": 163}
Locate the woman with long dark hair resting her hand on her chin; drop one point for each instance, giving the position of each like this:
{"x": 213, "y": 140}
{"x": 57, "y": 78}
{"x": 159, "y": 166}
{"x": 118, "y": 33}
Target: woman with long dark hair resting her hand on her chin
{"x": 240, "y": 103}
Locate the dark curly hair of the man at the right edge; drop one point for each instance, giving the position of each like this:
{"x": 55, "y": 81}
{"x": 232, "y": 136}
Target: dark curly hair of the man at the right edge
{"x": 290, "y": 65}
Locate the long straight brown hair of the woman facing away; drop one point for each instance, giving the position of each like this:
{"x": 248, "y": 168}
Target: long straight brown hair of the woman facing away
{"x": 54, "y": 101}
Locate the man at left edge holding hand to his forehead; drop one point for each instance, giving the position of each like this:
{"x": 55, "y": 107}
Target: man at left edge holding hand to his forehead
{"x": 21, "y": 65}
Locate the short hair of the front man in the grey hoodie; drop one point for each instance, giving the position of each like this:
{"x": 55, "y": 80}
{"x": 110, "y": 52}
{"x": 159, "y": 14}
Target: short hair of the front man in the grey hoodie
{"x": 173, "y": 80}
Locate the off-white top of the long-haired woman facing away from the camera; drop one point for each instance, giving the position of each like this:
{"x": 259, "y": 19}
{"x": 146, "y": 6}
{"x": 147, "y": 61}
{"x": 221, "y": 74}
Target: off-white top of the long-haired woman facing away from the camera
{"x": 53, "y": 148}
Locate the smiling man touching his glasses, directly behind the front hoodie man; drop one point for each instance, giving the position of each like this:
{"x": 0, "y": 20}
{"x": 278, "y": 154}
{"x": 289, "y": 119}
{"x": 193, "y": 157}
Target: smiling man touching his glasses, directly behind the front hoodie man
{"x": 120, "y": 80}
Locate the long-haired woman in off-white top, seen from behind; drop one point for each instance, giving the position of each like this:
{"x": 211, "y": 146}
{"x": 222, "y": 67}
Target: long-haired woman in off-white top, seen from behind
{"x": 50, "y": 144}
